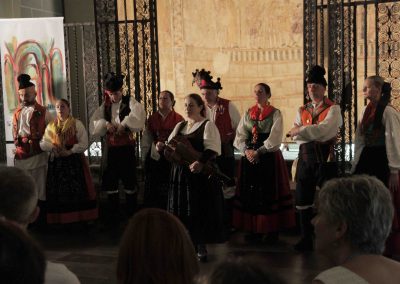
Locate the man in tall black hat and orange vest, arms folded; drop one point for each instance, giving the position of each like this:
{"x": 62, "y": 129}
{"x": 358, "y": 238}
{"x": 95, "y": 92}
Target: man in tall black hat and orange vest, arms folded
{"x": 315, "y": 130}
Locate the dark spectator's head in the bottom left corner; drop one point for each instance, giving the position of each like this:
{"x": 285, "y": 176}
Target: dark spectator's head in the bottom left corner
{"x": 22, "y": 260}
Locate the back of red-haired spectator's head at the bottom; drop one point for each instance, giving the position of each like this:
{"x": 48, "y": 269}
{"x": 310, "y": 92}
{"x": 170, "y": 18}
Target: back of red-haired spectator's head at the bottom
{"x": 156, "y": 248}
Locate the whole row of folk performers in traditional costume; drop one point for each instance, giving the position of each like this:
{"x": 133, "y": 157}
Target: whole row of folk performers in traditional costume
{"x": 189, "y": 163}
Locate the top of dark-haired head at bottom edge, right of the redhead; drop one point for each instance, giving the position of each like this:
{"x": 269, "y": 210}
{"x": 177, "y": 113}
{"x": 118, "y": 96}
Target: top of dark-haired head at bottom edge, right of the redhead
{"x": 242, "y": 271}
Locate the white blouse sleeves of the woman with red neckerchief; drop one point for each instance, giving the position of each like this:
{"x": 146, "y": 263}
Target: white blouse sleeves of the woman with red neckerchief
{"x": 271, "y": 144}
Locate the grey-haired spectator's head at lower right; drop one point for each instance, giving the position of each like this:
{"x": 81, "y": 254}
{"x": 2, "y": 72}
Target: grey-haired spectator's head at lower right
{"x": 354, "y": 211}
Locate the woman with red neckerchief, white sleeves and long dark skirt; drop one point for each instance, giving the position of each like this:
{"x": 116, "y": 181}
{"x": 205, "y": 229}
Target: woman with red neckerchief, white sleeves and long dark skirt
{"x": 264, "y": 204}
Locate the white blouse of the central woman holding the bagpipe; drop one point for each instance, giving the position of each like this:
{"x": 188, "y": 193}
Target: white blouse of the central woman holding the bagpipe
{"x": 211, "y": 137}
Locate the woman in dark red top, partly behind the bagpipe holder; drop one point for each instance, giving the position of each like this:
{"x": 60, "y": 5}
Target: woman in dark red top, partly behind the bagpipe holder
{"x": 157, "y": 169}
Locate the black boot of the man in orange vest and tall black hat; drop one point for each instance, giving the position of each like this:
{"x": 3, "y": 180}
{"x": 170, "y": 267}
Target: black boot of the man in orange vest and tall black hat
{"x": 306, "y": 242}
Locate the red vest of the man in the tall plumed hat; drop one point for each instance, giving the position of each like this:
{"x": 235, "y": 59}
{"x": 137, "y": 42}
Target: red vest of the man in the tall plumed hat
{"x": 223, "y": 121}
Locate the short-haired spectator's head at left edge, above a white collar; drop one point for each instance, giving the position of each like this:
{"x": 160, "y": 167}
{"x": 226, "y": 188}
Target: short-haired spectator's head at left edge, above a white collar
{"x": 18, "y": 196}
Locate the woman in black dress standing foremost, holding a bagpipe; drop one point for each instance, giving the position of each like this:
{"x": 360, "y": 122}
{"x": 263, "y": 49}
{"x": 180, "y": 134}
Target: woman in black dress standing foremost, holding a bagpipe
{"x": 194, "y": 197}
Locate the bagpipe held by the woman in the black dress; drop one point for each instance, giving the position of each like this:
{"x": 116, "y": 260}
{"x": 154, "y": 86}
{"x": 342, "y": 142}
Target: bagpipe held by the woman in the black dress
{"x": 179, "y": 150}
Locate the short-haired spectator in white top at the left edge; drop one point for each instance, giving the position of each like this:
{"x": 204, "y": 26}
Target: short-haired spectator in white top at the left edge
{"x": 18, "y": 204}
